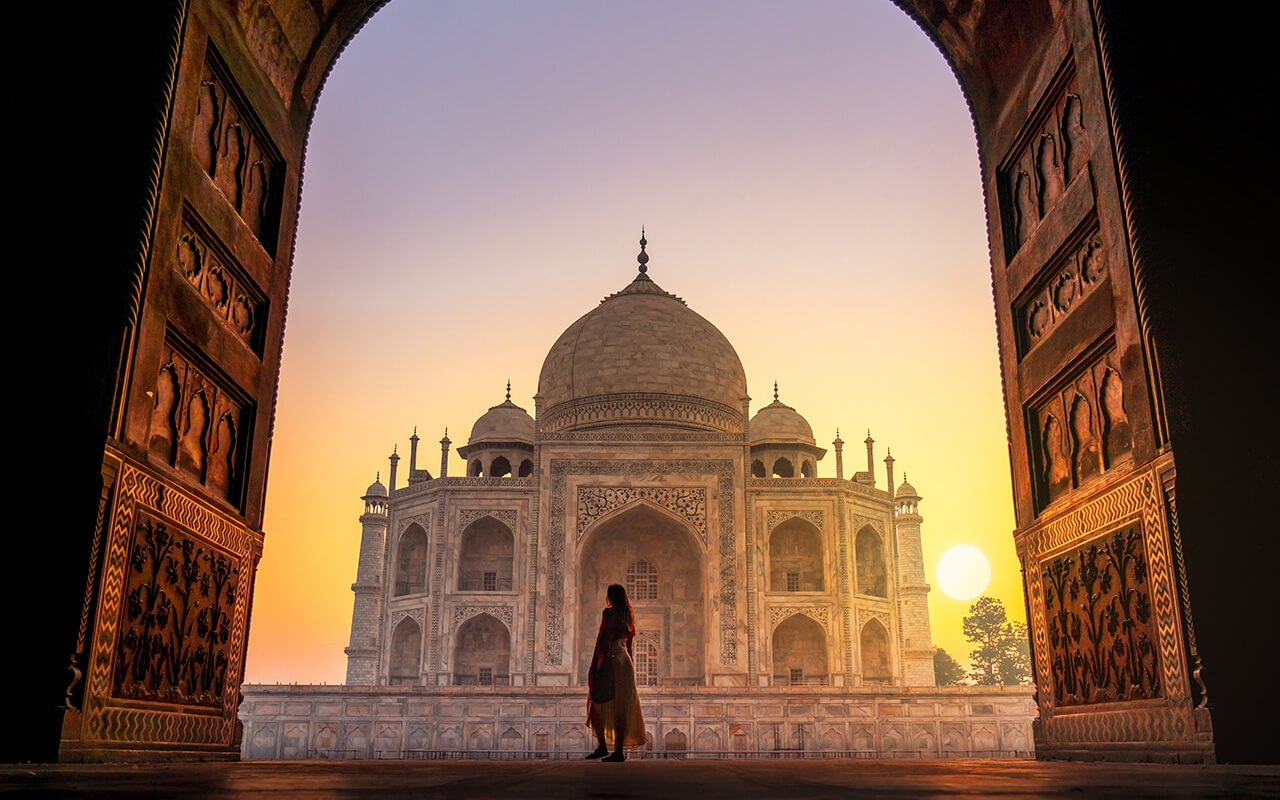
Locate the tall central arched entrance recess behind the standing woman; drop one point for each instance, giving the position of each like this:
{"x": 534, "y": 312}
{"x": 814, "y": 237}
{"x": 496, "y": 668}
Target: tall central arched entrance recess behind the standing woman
{"x": 662, "y": 566}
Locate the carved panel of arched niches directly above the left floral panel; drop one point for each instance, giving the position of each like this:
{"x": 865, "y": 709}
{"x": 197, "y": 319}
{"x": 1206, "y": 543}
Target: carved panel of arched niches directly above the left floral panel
{"x": 199, "y": 426}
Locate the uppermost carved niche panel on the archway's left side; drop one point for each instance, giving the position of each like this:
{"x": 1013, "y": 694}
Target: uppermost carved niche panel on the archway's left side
{"x": 231, "y": 145}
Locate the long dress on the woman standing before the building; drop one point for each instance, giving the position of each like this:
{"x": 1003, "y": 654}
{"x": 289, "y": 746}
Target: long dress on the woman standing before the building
{"x": 618, "y": 719}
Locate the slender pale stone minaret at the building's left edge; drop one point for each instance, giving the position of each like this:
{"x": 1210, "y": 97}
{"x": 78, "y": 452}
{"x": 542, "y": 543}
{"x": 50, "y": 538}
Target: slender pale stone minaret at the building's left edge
{"x": 367, "y": 615}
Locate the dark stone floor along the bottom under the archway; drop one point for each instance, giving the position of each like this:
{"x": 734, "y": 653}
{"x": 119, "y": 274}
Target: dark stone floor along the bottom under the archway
{"x": 662, "y": 780}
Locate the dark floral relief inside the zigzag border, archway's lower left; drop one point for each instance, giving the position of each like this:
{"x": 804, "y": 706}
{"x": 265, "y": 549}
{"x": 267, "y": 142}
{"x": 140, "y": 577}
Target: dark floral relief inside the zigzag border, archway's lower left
{"x": 179, "y": 605}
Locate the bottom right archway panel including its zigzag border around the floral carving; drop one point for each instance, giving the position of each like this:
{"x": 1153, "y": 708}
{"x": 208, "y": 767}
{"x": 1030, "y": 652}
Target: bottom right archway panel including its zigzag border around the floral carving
{"x": 1105, "y": 623}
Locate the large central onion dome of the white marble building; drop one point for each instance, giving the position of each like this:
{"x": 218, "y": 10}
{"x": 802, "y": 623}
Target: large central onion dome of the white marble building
{"x": 642, "y": 358}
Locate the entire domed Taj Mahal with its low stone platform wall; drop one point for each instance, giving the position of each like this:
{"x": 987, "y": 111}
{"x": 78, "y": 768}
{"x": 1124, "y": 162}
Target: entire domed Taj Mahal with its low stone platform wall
{"x": 778, "y": 612}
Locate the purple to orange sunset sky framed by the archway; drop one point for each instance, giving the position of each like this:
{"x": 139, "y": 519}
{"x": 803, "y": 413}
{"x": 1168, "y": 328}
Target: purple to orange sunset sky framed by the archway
{"x": 477, "y": 180}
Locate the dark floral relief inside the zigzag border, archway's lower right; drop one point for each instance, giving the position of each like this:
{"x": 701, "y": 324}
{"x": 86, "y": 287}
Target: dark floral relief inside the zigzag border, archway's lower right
{"x": 1100, "y": 623}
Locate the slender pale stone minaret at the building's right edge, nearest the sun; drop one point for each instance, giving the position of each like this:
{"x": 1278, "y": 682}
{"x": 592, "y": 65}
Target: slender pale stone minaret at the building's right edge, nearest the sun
{"x": 913, "y": 589}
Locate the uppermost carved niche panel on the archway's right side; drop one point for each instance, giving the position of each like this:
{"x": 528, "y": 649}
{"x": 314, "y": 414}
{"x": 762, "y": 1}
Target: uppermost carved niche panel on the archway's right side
{"x": 1050, "y": 153}
